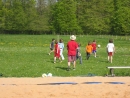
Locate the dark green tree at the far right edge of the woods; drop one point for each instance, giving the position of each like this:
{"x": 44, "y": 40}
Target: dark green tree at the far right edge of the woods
{"x": 120, "y": 22}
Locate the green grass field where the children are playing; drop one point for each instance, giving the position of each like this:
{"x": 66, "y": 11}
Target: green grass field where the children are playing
{"x": 27, "y": 56}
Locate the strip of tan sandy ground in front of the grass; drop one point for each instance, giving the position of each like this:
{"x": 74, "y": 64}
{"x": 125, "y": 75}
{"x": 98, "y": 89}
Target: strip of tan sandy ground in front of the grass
{"x": 65, "y": 87}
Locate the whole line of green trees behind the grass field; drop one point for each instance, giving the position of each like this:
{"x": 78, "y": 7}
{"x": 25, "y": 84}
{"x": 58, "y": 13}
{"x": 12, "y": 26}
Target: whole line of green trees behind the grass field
{"x": 65, "y": 17}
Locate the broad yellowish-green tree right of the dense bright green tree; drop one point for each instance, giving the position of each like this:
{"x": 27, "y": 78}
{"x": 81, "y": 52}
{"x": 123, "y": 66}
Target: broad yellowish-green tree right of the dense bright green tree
{"x": 94, "y": 16}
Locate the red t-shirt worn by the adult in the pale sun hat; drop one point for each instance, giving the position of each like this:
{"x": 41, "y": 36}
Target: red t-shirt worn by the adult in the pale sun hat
{"x": 71, "y": 47}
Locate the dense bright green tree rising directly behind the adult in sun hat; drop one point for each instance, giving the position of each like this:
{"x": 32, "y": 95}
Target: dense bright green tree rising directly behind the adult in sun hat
{"x": 64, "y": 17}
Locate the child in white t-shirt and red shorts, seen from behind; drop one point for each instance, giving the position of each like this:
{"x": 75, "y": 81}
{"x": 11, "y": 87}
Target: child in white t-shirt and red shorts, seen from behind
{"x": 110, "y": 50}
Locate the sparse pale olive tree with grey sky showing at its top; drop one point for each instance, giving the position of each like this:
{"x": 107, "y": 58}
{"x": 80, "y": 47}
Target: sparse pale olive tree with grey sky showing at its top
{"x": 40, "y": 23}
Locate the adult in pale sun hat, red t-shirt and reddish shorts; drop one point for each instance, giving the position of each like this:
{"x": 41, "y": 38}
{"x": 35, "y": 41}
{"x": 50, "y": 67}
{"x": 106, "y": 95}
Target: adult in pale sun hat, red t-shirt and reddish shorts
{"x": 71, "y": 48}
